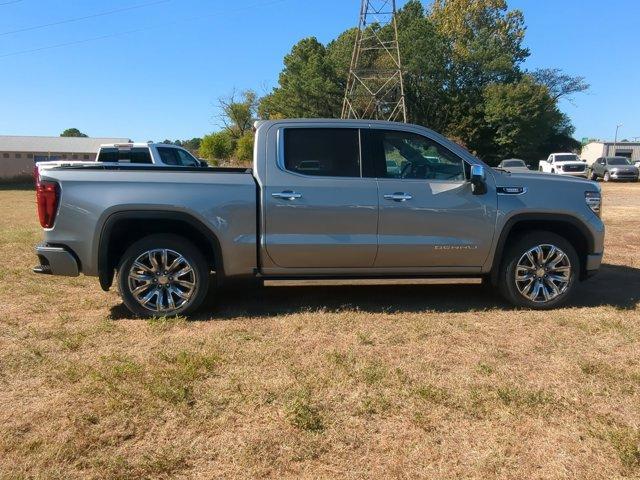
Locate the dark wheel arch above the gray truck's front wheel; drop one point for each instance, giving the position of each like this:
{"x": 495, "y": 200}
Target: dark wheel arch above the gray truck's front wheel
{"x": 567, "y": 226}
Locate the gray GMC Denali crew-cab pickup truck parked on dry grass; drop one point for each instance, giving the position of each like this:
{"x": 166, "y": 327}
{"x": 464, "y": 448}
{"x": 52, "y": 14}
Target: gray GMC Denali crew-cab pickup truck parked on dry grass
{"x": 324, "y": 199}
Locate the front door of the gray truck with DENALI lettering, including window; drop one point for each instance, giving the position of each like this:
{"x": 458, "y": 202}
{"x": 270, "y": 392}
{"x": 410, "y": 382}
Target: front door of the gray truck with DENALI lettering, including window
{"x": 429, "y": 216}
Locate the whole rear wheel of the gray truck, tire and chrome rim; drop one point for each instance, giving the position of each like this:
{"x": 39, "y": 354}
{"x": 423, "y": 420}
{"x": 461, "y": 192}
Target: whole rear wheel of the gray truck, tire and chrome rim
{"x": 163, "y": 275}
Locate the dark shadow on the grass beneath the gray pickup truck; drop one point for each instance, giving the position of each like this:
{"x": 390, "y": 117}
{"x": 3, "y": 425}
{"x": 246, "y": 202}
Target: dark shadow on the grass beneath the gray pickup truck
{"x": 615, "y": 285}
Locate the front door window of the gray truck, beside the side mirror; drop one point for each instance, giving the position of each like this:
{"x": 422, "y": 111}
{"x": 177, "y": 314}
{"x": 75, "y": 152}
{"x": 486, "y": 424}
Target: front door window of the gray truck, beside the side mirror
{"x": 412, "y": 156}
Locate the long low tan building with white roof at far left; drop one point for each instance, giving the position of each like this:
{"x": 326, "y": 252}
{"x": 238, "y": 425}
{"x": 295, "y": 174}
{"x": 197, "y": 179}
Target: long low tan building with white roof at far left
{"x": 18, "y": 154}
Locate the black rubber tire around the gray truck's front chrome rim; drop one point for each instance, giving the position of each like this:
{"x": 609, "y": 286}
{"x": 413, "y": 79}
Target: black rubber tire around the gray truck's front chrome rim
{"x": 507, "y": 274}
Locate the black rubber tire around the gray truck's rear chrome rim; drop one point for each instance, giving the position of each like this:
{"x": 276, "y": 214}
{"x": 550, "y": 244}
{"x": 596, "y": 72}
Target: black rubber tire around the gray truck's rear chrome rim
{"x": 198, "y": 275}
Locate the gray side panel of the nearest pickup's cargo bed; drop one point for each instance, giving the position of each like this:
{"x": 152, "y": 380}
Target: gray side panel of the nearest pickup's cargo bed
{"x": 221, "y": 201}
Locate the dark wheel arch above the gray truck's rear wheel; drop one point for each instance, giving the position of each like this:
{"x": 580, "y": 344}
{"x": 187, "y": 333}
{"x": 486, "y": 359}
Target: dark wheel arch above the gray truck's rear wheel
{"x": 121, "y": 229}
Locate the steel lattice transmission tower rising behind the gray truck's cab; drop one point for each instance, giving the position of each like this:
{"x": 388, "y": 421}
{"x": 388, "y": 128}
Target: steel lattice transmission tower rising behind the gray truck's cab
{"x": 375, "y": 88}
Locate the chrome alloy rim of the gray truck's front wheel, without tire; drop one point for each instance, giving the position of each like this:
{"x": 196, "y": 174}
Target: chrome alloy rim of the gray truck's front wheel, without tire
{"x": 543, "y": 273}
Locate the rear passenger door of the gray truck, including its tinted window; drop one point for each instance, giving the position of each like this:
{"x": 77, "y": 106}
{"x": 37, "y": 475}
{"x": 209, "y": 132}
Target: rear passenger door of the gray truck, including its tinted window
{"x": 319, "y": 210}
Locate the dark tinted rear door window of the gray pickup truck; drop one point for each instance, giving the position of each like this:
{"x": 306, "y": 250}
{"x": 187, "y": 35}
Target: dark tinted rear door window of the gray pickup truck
{"x": 326, "y": 152}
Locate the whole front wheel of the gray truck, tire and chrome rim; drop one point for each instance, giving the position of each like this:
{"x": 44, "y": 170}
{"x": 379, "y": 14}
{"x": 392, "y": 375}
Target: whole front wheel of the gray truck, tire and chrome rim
{"x": 539, "y": 271}
